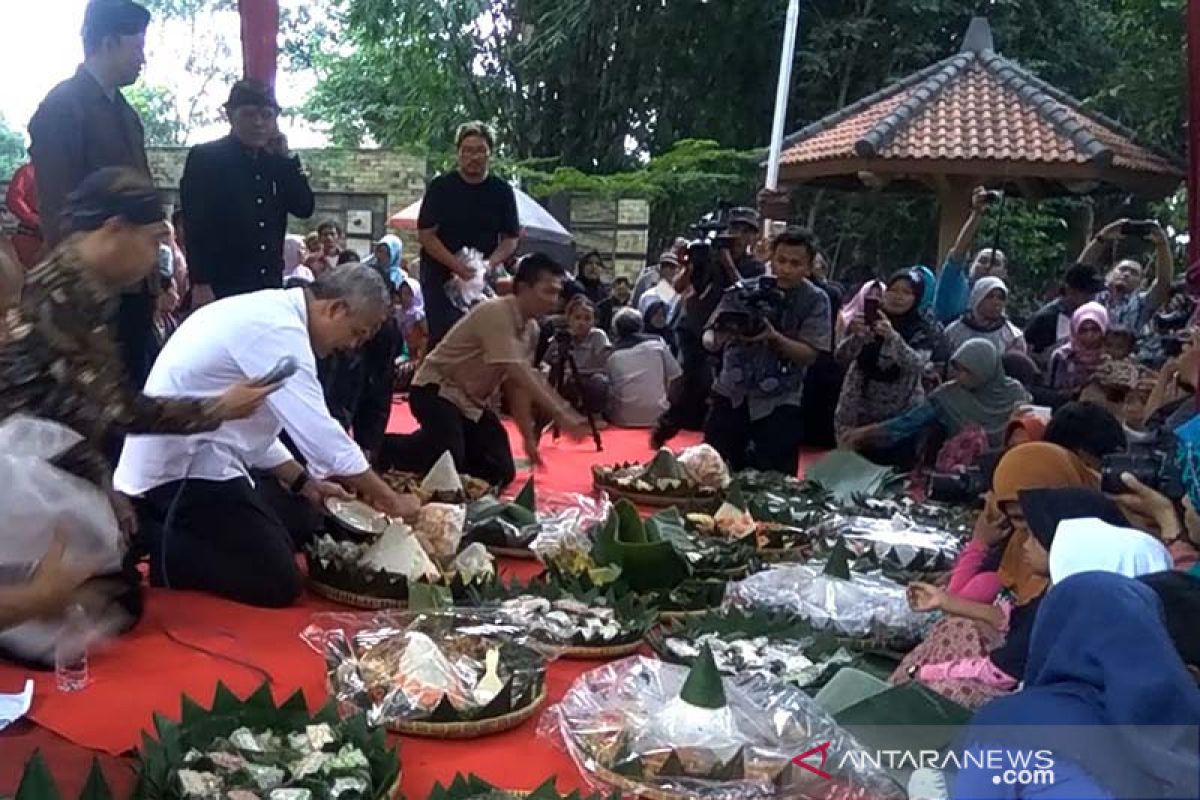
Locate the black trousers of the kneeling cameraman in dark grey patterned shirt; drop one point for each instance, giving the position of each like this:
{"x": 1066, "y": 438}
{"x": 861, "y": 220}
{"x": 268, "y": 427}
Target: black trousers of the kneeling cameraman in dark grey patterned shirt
{"x": 772, "y": 443}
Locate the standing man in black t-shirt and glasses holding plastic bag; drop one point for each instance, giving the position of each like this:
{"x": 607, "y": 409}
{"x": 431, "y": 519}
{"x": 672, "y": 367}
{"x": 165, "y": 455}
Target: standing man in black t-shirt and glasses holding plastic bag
{"x": 466, "y": 208}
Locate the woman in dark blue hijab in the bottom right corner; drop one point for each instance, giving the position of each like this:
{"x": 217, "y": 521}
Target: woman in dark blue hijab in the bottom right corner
{"x": 1106, "y": 693}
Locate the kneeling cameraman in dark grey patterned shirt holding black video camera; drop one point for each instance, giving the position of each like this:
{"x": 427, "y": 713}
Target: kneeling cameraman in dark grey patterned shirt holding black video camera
{"x": 767, "y": 332}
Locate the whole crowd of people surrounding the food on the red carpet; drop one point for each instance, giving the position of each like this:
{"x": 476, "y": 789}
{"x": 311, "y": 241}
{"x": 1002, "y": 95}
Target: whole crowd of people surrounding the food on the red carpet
{"x": 224, "y": 378}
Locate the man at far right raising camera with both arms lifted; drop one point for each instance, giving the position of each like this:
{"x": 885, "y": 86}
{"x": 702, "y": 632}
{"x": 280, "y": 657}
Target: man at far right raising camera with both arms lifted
{"x": 1130, "y": 306}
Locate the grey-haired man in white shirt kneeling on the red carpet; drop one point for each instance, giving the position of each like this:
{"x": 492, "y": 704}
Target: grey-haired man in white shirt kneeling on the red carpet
{"x": 211, "y": 519}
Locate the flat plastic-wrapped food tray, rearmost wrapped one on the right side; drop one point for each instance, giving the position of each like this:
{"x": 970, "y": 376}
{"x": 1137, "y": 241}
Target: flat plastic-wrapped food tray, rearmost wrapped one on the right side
{"x": 897, "y": 542}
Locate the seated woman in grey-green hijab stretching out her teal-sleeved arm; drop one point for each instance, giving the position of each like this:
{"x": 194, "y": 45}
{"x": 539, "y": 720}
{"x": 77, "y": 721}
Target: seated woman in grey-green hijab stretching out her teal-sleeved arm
{"x": 980, "y": 398}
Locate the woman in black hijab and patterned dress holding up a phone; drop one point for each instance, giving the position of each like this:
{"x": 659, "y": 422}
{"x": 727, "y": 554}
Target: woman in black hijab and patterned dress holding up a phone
{"x": 885, "y": 364}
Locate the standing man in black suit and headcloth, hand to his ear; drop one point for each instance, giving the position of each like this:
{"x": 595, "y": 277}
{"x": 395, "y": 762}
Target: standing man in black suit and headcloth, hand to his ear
{"x": 237, "y": 195}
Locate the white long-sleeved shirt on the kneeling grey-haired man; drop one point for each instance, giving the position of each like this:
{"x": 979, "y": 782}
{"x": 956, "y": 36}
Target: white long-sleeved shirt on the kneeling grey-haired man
{"x": 226, "y": 342}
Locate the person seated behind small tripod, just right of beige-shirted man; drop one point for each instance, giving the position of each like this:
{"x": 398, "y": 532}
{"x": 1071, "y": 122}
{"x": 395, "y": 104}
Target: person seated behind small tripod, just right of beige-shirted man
{"x": 590, "y": 347}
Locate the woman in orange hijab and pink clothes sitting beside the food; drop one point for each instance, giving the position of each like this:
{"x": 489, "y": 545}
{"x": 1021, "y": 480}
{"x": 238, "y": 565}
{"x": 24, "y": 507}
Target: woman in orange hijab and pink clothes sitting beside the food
{"x": 959, "y": 659}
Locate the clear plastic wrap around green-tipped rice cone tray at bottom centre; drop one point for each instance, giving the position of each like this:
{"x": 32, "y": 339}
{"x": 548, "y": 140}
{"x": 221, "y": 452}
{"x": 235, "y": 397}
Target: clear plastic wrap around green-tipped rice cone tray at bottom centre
{"x": 621, "y": 723}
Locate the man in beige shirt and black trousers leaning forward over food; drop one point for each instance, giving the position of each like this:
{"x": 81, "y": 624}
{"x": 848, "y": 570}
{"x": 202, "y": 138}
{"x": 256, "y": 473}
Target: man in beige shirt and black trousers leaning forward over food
{"x": 455, "y": 390}
